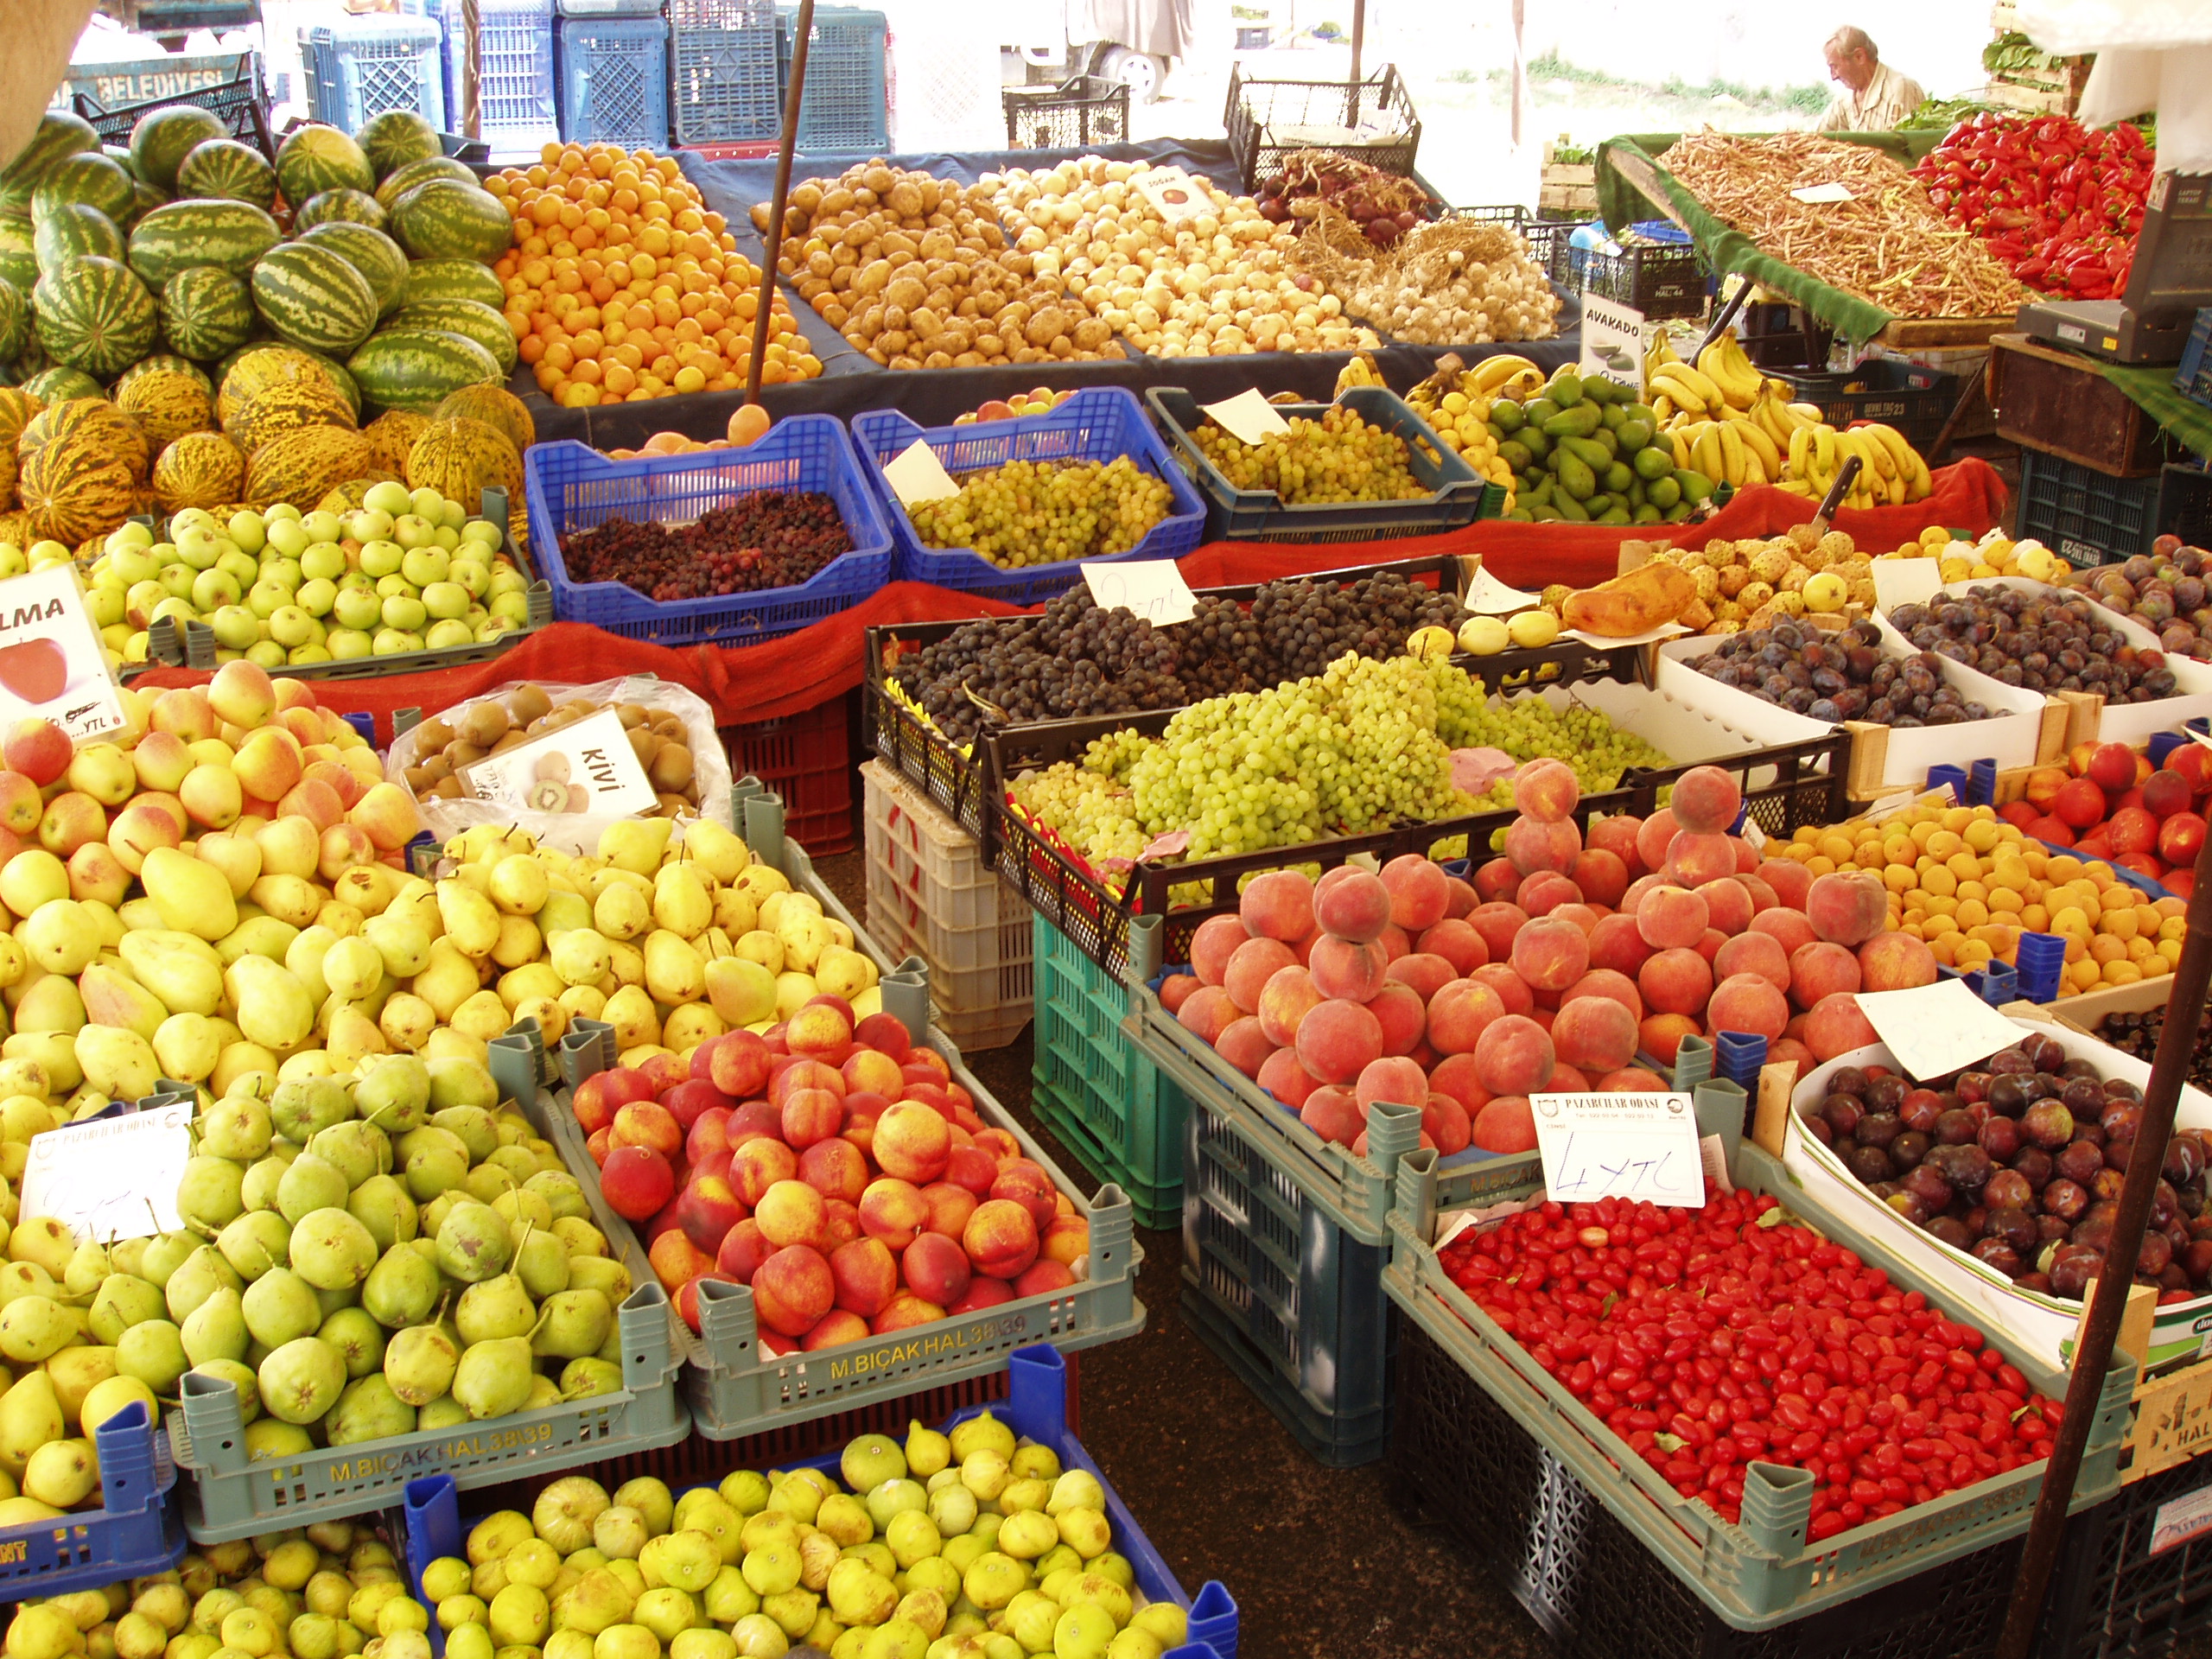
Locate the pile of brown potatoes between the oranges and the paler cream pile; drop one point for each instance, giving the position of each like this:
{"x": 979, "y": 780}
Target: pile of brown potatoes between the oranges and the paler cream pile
{"x": 919, "y": 275}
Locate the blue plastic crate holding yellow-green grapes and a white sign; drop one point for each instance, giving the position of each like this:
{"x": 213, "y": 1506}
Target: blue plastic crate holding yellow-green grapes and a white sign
{"x": 1098, "y": 424}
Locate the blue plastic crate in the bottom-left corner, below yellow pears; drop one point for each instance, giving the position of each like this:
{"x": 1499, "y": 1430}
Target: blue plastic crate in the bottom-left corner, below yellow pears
{"x": 136, "y": 1534}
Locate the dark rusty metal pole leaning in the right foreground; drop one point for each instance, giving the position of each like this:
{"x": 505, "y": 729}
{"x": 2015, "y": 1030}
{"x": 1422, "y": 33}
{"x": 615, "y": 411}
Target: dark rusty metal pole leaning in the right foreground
{"x": 2109, "y": 1297}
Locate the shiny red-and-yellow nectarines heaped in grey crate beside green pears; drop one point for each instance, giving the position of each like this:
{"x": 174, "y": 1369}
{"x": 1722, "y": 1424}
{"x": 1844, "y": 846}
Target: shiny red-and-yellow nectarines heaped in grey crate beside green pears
{"x": 835, "y": 1169}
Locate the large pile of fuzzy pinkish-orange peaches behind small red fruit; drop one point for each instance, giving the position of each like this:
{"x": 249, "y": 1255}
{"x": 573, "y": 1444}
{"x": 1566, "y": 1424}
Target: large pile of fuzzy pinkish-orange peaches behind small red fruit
{"x": 1563, "y": 968}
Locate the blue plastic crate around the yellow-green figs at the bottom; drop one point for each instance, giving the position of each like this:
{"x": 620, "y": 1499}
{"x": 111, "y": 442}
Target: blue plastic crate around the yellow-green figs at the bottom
{"x": 1034, "y": 1408}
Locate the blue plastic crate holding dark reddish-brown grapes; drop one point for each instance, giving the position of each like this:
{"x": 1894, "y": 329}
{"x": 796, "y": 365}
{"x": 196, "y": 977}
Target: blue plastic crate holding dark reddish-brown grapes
{"x": 574, "y": 488}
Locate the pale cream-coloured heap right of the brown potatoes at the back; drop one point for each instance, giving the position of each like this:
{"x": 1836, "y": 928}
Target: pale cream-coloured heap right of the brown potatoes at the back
{"x": 1218, "y": 286}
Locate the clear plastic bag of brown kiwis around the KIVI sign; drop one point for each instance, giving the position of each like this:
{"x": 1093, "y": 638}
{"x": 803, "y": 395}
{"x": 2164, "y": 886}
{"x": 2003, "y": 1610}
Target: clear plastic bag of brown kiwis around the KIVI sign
{"x": 669, "y": 729}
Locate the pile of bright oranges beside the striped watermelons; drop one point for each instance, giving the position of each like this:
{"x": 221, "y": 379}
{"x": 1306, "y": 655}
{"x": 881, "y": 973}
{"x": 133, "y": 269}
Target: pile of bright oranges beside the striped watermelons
{"x": 623, "y": 286}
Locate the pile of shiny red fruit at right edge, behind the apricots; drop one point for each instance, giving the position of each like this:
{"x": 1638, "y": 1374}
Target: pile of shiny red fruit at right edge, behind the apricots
{"x": 2109, "y": 804}
